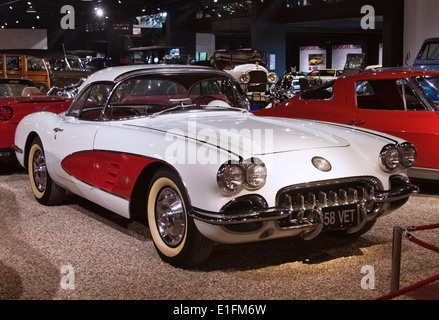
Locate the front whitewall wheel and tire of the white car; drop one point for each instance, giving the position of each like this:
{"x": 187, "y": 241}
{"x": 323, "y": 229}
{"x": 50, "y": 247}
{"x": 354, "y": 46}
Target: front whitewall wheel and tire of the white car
{"x": 175, "y": 236}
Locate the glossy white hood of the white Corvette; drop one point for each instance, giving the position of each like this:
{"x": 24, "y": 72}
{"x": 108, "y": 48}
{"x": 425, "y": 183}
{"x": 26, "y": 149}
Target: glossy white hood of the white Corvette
{"x": 245, "y": 132}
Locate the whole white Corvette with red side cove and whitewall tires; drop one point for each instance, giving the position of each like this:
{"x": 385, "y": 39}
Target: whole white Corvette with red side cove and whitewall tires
{"x": 178, "y": 146}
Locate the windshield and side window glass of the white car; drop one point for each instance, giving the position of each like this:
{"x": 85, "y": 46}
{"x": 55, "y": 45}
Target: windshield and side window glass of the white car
{"x": 146, "y": 96}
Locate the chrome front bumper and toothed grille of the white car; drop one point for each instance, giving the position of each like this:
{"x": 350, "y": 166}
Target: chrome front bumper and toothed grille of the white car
{"x": 305, "y": 211}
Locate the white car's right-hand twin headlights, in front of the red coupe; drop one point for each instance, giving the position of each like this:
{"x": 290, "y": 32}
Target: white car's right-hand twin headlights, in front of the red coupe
{"x": 394, "y": 156}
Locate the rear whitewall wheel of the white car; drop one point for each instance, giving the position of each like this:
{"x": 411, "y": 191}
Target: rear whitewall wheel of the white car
{"x": 44, "y": 189}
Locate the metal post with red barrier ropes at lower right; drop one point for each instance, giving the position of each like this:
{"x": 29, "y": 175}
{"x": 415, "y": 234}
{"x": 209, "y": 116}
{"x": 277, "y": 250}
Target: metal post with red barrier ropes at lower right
{"x": 398, "y": 232}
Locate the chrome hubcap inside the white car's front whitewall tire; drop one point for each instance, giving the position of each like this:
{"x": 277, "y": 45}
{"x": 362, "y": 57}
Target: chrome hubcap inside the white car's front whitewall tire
{"x": 170, "y": 216}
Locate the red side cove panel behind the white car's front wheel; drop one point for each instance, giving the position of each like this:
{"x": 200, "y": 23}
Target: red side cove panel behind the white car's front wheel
{"x": 110, "y": 171}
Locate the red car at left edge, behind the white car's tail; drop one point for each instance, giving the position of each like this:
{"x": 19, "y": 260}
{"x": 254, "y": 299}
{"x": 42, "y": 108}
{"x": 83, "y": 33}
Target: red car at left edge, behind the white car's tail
{"x": 18, "y": 98}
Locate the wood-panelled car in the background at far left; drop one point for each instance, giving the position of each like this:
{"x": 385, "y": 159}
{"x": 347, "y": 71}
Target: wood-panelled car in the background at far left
{"x": 15, "y": 64}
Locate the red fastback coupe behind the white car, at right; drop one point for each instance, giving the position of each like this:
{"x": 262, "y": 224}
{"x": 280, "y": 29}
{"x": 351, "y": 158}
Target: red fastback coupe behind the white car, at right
{"x": 399, "y": 101}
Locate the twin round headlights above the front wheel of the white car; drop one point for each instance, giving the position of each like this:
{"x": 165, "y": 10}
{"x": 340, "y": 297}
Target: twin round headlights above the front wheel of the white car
{"x": 232, "y": 176}
